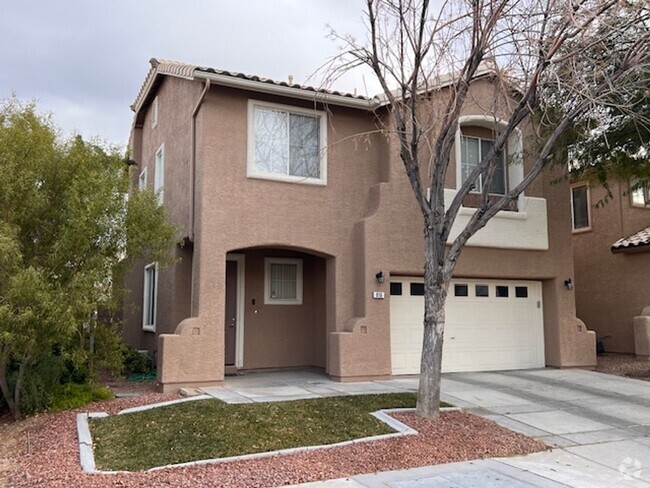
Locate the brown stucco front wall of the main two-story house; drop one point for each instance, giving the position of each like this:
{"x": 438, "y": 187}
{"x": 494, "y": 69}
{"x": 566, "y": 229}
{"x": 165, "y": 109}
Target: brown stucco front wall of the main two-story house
{"x": 364, "y": 220}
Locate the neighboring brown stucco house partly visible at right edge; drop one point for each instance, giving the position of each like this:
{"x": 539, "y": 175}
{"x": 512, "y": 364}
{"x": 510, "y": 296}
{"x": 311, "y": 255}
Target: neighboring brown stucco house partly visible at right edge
{"x": 611, "y": 247}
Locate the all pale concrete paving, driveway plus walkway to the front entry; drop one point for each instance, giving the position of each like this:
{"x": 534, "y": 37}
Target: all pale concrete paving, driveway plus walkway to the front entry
{"x": 600, "y": 425}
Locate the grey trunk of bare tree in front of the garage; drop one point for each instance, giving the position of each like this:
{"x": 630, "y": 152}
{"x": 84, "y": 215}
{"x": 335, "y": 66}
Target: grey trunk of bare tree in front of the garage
{"x": 435, "y": 294}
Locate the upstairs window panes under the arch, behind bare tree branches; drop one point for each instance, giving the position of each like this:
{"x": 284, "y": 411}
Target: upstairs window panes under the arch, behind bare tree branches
{"x": 472, "y": 152}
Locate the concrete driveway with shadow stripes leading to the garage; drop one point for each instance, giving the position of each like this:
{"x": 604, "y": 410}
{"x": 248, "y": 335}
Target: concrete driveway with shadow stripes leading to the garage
{"x": 599, "y": 423}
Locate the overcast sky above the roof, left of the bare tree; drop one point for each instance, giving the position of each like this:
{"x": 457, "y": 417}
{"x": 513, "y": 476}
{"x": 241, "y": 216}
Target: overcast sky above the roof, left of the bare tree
{"x": 84, "y": 60}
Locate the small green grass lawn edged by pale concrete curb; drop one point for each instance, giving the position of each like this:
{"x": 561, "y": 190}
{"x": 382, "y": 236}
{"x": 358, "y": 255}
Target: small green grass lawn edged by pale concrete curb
{"x": 207, "y": 429}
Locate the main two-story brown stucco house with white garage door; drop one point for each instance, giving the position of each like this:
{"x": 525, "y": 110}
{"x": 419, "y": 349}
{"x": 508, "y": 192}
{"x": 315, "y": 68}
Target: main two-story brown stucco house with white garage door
{"x": 303, "y": 242}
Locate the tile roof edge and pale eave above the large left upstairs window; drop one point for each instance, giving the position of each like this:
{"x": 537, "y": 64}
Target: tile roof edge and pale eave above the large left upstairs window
{"x": 189, "y": 71}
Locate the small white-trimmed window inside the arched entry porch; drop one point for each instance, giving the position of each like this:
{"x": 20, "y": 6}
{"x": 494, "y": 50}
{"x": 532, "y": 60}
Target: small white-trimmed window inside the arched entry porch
{"x": 283, "y": 281}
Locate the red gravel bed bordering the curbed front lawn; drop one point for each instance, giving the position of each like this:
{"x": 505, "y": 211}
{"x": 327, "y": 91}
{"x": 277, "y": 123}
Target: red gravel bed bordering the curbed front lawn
{"x": 51, "y": 458}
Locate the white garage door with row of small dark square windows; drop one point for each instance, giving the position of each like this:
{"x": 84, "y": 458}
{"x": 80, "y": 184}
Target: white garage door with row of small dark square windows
{"x": 491, "y": 325}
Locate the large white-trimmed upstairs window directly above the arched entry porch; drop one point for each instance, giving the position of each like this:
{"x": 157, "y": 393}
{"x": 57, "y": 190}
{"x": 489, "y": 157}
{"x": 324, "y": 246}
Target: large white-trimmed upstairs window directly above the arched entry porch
{"x": 286, "y": 143}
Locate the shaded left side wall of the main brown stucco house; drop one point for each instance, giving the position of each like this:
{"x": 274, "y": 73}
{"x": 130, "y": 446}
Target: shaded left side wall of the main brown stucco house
{"x": 176, "y": 99}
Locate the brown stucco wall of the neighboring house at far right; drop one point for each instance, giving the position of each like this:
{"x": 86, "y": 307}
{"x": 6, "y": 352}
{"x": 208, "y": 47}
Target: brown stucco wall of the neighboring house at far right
{"x": 611, "y": 289}
